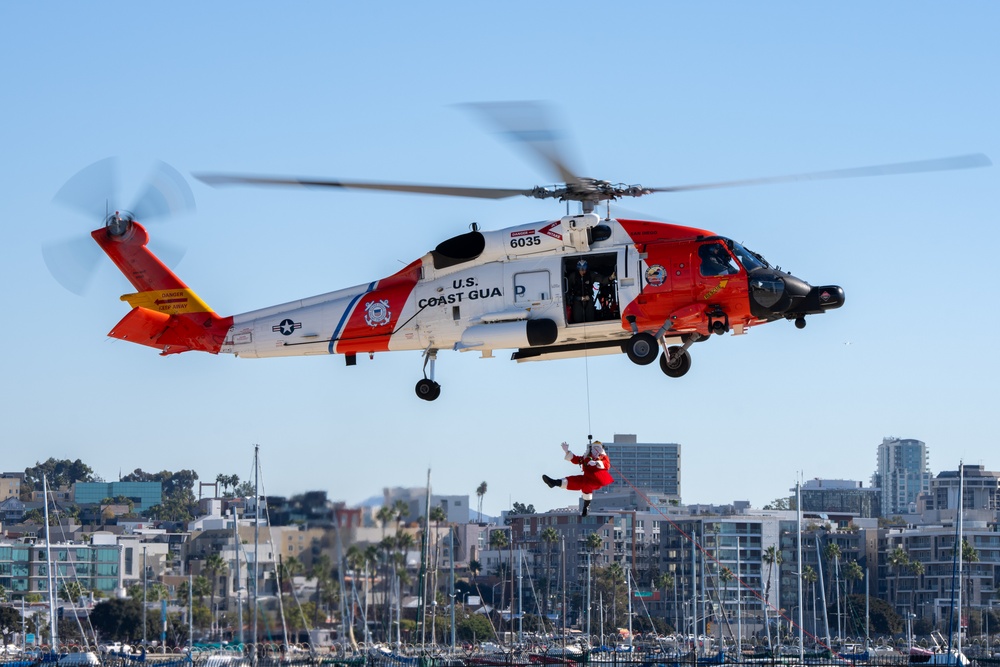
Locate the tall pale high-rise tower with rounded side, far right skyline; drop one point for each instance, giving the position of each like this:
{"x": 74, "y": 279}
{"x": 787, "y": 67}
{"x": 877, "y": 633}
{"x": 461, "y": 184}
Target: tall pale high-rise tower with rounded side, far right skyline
{"x": 902, "y": 475}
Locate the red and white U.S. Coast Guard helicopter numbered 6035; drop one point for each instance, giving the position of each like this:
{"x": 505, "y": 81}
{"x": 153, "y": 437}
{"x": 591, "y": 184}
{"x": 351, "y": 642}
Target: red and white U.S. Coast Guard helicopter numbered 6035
{"x": 577, "y": 285}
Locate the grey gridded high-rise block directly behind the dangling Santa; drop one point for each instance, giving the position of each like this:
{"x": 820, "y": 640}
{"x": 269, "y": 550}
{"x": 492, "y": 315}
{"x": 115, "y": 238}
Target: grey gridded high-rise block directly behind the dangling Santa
{"x": 644, "y": 465}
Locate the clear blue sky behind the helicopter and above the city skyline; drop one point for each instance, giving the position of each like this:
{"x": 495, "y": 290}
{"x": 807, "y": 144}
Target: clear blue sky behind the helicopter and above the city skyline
{"x": 658, "y": 93}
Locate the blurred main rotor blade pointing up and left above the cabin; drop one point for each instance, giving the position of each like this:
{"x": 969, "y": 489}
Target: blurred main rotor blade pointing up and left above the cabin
{"x": 529, "y": 125}
